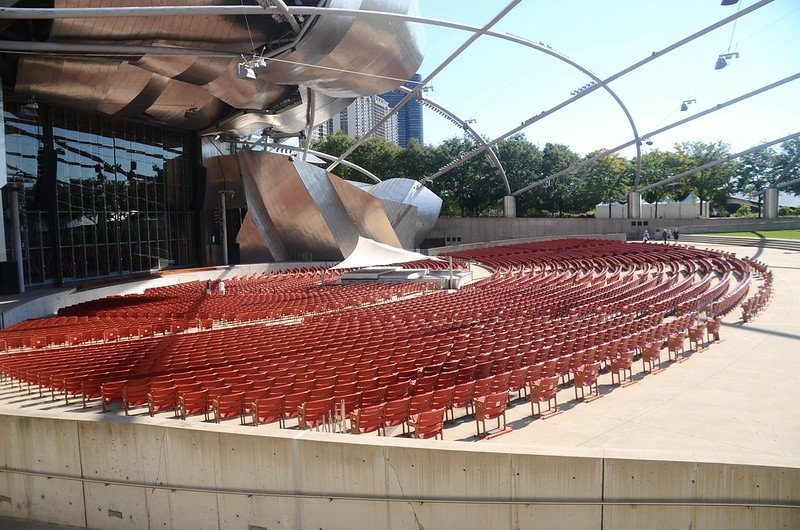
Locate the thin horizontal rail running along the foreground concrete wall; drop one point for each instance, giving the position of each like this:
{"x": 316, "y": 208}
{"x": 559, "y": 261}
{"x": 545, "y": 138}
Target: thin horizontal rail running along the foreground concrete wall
{"x": 420, "y": 500}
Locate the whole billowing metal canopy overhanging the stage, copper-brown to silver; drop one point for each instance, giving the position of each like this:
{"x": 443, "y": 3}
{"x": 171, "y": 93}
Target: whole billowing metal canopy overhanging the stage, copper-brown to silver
{"x": 150, "y": 85}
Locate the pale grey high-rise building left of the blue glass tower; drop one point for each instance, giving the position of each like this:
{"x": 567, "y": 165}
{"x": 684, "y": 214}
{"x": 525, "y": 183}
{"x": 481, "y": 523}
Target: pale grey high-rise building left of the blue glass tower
{"x": 359, "y": 118}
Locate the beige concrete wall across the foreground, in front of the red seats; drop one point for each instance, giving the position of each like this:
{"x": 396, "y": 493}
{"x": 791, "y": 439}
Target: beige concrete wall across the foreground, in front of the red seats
{"x": 123, "y": 473}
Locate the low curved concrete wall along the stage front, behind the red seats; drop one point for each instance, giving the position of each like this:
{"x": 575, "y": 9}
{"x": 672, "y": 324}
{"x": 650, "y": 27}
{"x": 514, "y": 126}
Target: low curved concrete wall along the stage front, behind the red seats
{"x": 47, "y": 303}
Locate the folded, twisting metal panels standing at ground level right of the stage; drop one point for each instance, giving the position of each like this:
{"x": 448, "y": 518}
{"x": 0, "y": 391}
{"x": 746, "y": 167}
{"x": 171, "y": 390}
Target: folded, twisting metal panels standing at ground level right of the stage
{"x": 299, "y": 211}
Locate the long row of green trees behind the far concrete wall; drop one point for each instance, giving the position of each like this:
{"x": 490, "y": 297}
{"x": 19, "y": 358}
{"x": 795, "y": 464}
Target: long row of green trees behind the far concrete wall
{"x": 475, "y": 187}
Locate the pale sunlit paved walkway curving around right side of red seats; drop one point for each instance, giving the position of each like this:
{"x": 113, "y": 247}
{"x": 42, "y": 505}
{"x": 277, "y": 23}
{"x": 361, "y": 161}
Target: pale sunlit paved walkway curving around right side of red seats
{"x": 734, "y": 400}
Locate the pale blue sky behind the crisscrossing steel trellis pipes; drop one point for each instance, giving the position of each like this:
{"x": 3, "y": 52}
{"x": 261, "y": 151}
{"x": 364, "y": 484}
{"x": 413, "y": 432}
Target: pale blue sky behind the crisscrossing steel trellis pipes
{"x": 500, "y": 84}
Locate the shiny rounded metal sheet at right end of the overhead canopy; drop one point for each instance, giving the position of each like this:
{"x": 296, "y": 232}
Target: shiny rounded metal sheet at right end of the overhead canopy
{"x": 372, "y": 46}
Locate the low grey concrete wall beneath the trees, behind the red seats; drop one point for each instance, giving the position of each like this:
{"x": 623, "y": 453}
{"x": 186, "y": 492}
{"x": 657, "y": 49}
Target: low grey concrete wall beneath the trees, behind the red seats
{"x": 463, "y": 230}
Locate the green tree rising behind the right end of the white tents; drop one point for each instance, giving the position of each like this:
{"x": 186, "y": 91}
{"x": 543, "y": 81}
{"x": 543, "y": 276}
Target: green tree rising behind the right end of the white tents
{"x": 711, "y": 185}
